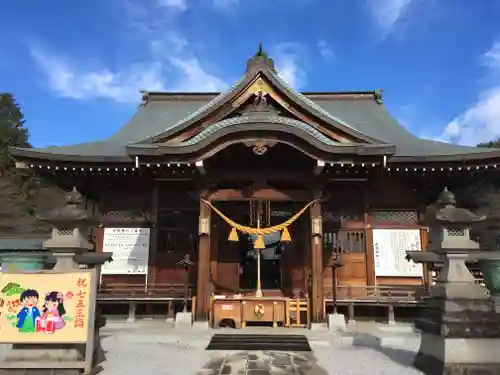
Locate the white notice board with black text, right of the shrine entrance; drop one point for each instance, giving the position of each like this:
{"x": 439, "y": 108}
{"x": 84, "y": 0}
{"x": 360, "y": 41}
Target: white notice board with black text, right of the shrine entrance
{"x": 389, "y": 249}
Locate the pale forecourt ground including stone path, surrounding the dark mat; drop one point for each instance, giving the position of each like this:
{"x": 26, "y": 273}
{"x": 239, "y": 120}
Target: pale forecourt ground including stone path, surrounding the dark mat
{"x": 153, "y": 348}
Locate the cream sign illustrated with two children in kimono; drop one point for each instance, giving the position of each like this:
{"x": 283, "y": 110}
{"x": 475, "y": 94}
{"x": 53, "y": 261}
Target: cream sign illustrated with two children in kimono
{"x": 44, "y": 308}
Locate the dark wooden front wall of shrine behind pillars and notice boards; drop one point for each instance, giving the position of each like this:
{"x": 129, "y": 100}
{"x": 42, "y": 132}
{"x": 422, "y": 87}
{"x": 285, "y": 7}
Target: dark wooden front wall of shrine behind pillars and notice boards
{"x": 348, "y": 211}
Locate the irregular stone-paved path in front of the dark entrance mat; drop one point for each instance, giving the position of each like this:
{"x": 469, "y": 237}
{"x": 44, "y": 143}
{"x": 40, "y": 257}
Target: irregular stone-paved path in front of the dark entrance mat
{"x": 263, "y": 363}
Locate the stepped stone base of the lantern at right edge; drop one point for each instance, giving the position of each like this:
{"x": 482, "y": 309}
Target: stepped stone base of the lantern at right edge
{"x": 459, "y": 337}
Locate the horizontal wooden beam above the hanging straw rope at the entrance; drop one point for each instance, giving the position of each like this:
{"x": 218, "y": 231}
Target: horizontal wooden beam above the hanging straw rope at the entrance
{"x": 265, "y": 194}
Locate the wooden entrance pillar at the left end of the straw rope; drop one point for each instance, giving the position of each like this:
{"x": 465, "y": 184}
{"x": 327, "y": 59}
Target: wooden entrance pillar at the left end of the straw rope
{"x": 202, "y": 281}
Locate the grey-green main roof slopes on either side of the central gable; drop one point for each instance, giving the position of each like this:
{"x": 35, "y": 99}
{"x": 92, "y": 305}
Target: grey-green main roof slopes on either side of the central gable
{"x": 364, "y": 115}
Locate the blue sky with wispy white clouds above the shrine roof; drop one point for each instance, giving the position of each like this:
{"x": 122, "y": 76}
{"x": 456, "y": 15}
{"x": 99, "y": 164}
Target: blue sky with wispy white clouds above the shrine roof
{"x": 76, "y": 67}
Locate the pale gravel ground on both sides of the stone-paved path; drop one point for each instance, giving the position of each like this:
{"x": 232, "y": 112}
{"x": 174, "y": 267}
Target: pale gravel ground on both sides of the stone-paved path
{"x": 155, "y": 353}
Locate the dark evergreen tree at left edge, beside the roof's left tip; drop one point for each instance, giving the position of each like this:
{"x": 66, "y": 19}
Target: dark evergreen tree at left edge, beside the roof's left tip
{"x": 12, "y": 130}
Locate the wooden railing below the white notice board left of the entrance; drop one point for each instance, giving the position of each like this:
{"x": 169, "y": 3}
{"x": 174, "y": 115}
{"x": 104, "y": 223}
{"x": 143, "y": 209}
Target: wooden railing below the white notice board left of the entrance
{"x": 142, "y": 291}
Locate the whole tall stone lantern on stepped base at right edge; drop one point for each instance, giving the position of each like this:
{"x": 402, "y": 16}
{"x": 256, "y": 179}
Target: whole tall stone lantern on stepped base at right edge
{"x": 460, "y": 328}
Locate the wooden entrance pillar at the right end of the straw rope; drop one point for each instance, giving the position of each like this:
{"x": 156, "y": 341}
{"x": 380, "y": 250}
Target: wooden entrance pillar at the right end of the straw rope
{"x": 317, "y": 269}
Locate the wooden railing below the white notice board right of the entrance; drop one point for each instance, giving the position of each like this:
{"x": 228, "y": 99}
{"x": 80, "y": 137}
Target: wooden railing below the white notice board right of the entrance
{"x": 378, "y": 294}
